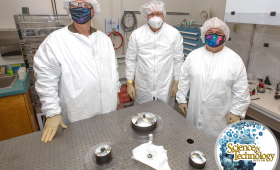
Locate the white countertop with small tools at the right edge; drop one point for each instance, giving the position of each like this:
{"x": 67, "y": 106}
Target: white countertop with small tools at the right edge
{"x": 266, "y": 104}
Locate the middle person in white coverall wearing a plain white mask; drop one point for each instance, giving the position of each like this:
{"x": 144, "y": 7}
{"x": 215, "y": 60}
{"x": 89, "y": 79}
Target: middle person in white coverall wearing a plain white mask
{"x": 154, "y": 56}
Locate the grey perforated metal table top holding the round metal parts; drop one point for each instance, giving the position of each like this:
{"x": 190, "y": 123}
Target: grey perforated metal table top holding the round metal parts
{"x": 69, "y": 146}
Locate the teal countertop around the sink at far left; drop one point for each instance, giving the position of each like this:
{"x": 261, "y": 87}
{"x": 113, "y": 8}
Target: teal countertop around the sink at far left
{"x": 20, "y": 86}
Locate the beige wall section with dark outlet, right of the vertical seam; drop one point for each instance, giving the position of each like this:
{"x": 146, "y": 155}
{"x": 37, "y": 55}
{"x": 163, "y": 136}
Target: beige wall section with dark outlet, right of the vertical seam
{"x": 265, "y": 58}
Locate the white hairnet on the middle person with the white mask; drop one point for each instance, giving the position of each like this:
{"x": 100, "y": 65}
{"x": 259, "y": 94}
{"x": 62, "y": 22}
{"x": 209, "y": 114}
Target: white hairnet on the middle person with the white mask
{"x": 152, "y": 6}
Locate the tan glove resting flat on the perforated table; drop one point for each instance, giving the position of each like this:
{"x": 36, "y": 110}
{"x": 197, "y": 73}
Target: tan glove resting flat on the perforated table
{"x": 51, "y": 126}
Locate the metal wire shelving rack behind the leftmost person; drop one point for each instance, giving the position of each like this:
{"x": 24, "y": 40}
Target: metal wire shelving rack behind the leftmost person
{"x": 32, "y": 31}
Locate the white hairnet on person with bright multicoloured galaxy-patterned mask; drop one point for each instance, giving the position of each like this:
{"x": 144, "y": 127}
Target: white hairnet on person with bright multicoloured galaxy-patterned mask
{"x": 214, "y": 23}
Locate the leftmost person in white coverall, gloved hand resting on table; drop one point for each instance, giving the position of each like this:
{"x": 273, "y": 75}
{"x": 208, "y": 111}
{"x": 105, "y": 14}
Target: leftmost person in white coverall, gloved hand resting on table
{"x": 76, "y": 70}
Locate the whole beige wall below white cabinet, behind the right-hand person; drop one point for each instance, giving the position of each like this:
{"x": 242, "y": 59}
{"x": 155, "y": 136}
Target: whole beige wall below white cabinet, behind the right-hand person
{"x": 259, "y": 48}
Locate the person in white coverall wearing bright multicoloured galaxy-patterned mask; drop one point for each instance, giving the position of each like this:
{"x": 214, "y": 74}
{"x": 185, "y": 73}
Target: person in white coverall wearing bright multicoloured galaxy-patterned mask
{"x": 217, "y": 80}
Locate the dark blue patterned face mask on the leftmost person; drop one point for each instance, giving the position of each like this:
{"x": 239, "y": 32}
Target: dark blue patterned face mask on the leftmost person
{"x": 81, "y": 15}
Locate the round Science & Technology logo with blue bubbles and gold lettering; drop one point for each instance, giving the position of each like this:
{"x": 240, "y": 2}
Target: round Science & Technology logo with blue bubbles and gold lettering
{"x": 246, "y": 145}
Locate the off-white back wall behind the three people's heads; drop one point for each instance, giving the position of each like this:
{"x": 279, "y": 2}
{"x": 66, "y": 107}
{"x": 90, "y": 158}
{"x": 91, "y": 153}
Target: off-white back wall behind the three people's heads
{"x": 114, "y": 8}
